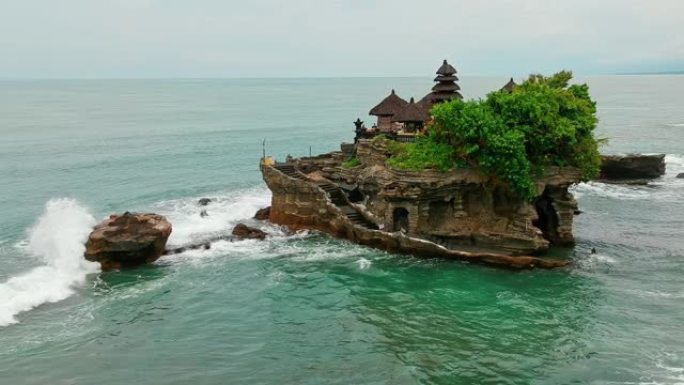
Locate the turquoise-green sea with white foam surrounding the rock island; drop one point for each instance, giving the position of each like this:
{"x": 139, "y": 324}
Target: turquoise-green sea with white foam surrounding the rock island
{"x": 307, "y": 309}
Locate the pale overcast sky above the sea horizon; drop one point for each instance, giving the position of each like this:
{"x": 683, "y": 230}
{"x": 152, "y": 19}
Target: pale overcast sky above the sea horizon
{"x": 321, "y": 38}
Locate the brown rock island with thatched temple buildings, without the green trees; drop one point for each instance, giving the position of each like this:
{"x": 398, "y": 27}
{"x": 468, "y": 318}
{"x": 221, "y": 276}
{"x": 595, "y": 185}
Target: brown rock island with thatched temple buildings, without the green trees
{"x": 461, "y": 213}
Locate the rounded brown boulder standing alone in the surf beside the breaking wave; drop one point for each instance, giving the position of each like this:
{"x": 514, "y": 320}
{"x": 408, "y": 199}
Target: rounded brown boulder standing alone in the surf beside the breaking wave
{"x": 127, "y": 240}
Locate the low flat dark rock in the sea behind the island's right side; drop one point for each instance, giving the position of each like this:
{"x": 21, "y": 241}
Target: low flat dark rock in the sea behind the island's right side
{"x": 632, "y": 166}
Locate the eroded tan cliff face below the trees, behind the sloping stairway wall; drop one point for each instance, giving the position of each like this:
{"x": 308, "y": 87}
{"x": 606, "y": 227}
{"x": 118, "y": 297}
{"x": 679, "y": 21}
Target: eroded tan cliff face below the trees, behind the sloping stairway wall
{"x": 465, "y": 209}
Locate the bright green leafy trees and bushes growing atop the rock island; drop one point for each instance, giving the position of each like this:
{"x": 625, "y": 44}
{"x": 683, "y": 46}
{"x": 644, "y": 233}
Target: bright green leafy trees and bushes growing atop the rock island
{"x": 512, "y": 135}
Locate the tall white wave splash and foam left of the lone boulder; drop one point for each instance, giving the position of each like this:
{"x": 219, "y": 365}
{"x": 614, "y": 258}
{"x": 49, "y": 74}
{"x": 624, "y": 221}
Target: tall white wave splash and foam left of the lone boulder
{"x": 57, "y": 239}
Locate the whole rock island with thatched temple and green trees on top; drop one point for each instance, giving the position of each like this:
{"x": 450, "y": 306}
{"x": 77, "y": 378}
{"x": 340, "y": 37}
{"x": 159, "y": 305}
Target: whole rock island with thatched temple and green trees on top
{"x": 484, "y": 180}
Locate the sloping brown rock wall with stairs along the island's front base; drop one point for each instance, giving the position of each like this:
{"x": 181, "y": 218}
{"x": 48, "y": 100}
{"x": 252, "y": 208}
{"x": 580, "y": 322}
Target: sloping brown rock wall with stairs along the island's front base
{"x": 302, "y": 202}
